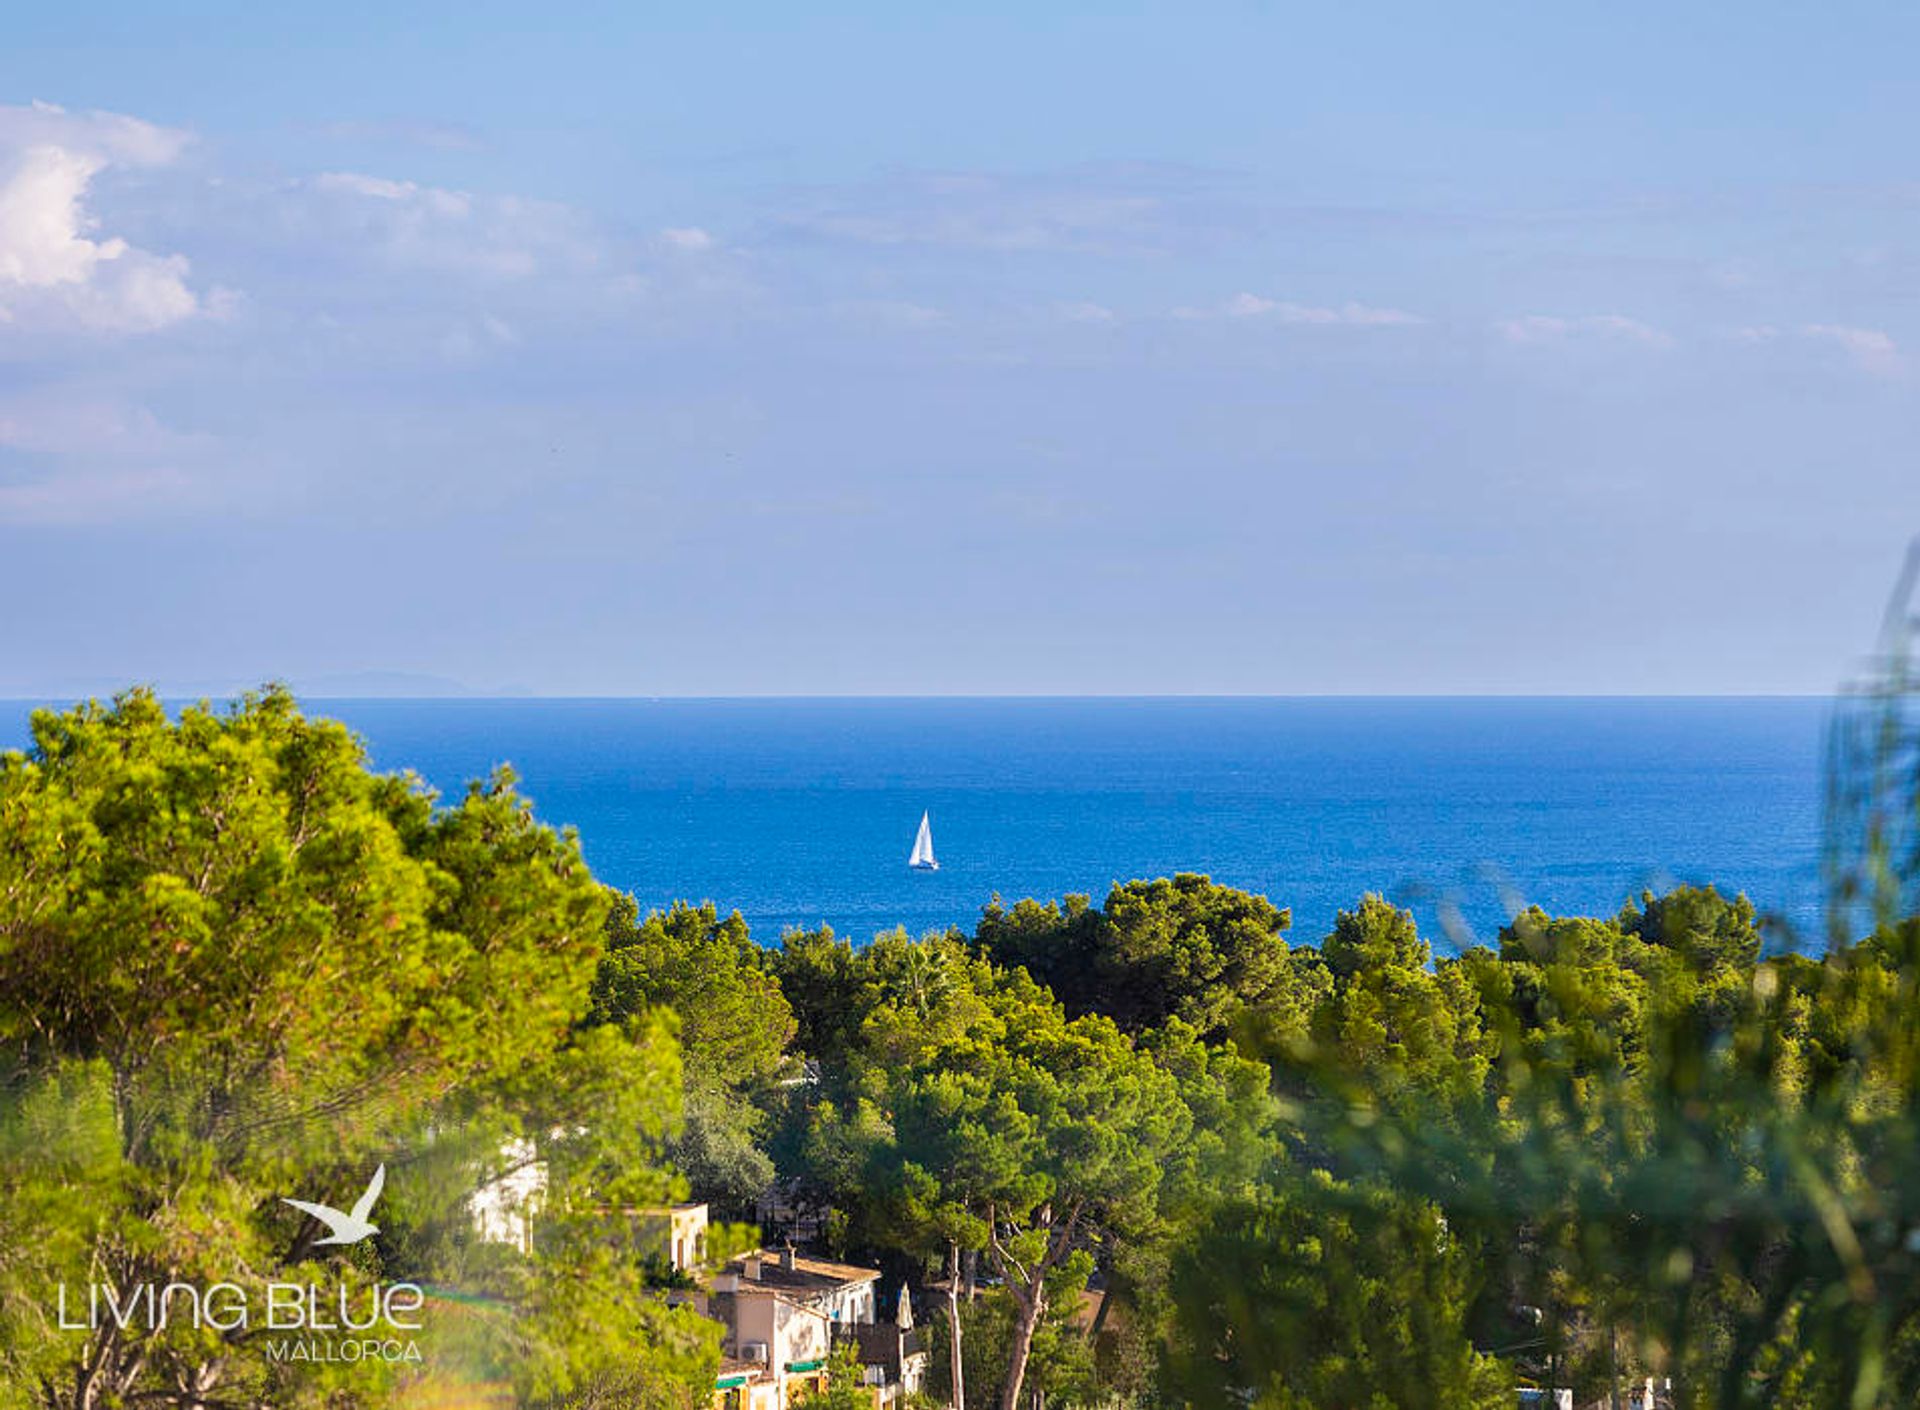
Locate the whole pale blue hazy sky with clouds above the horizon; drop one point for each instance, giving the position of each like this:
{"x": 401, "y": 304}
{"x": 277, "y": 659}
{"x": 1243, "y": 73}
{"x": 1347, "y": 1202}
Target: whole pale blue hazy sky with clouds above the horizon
{"x": 1034, "y": 349}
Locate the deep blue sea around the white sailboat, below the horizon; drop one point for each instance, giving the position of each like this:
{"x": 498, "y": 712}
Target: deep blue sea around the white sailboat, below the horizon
{"x": 804, "y": 812}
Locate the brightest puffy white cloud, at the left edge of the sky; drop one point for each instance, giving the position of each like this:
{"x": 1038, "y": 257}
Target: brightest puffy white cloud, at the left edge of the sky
{"x": 55, "y": 268}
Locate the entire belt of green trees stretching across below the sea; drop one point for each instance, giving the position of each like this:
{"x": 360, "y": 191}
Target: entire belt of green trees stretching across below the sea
{"x": 235, "y": 965}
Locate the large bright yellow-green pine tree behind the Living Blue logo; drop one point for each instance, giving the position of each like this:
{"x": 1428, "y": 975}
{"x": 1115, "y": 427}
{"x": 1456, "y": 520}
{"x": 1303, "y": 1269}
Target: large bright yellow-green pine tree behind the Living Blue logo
{"x": 235, "y": 965}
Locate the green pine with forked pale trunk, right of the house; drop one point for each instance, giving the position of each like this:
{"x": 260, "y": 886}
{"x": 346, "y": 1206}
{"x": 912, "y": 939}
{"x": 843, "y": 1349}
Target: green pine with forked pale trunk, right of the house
{"x": 978, "y": 1115}
